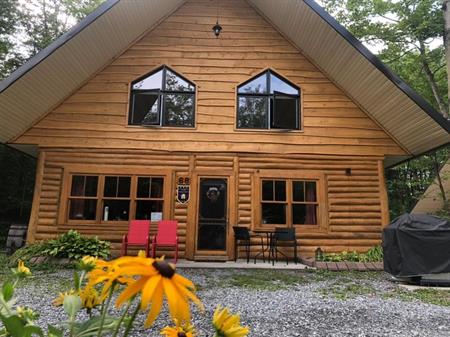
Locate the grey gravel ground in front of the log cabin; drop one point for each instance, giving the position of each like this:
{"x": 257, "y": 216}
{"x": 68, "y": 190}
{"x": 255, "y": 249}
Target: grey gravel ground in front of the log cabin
{"x": 298, "y": 304}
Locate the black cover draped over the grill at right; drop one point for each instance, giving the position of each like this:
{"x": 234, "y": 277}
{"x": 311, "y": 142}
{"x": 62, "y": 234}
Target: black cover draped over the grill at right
{"x": 416, "y": 244}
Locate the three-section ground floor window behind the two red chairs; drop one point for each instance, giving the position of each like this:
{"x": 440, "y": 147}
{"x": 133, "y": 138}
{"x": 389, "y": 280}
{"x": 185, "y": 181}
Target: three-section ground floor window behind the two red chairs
{"x": 105, "y": 198}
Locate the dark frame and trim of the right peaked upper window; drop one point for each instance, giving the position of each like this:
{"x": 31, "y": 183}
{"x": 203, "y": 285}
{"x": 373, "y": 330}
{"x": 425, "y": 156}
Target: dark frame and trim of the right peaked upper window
{"x": 268, "y": 95}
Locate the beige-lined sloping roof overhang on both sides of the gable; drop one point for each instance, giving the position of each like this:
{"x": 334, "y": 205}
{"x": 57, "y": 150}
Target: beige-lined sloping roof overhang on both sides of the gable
{"x": 60, "y": 69}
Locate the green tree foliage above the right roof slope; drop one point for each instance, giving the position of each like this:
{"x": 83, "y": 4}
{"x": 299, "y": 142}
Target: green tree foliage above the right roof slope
{"x": 405, "y": 33}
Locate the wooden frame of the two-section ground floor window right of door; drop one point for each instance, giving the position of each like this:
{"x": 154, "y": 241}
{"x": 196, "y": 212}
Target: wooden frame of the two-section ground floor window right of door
{"x": 289, "y": 176}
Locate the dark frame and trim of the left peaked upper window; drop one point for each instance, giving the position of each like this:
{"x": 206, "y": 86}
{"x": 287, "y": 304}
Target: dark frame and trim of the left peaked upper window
{"x": 161, "y": 94}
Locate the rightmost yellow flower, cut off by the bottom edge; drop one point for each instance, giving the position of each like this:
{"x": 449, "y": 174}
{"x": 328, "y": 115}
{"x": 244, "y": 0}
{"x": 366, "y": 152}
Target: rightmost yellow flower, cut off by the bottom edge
{"x": 228, "y": 325}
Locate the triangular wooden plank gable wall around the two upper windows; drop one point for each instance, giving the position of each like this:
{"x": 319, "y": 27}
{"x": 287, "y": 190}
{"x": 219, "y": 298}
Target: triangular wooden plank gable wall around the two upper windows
{"x": 95, "y": 116}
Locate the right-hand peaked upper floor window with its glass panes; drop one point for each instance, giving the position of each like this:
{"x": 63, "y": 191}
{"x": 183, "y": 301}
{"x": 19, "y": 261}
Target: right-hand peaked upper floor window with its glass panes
{"x": 268, "y": 101}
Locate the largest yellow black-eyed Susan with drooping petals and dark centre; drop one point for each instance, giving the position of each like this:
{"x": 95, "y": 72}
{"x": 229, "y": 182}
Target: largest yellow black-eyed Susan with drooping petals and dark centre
{"x": 155, "y": 280}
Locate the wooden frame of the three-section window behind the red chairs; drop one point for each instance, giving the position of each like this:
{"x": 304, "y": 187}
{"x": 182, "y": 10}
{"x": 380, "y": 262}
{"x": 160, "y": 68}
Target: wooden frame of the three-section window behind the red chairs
{"x": 101, "y": 172}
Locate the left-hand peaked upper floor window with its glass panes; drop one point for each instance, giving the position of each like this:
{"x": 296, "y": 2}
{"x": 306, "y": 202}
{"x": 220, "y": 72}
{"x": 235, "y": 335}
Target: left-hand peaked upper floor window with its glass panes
{"x": 162, "y": 98}
